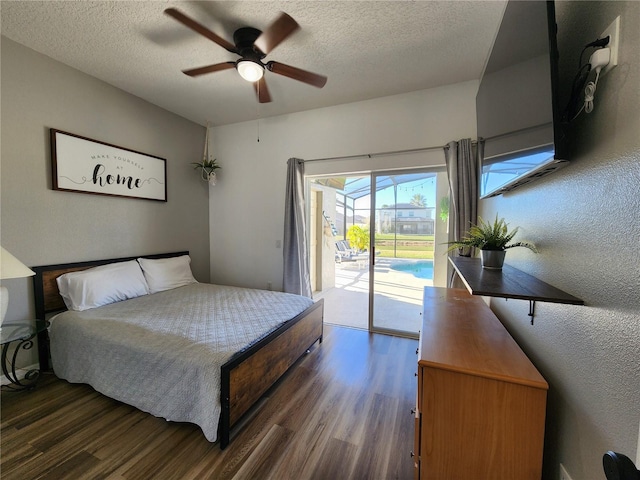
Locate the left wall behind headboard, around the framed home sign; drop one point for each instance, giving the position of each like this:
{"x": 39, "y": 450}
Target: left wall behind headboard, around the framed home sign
{"x": 41, "y": 226}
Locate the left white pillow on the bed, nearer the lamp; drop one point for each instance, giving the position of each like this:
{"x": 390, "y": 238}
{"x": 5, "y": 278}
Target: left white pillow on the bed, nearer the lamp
{"x": 102, "y": 285}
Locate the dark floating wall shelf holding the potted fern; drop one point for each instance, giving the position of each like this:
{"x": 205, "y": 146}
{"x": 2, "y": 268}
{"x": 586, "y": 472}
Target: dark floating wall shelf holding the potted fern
{"x": 508, "y": 283}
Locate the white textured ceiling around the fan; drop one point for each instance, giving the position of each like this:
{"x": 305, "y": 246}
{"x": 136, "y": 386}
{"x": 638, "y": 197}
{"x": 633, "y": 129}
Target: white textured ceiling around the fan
{"x": 366, "y": 49}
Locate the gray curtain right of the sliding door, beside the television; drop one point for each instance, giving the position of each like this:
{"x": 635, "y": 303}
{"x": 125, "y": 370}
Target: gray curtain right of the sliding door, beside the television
{"x": 462, "y": 160}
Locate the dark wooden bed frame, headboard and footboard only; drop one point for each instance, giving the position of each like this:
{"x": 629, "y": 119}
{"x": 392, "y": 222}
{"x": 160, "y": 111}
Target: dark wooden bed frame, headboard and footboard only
{"x": 246, "y": 376}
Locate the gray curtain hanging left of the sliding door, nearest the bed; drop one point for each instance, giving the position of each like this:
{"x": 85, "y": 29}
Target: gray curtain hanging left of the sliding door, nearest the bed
{"x": 296, "y": 258}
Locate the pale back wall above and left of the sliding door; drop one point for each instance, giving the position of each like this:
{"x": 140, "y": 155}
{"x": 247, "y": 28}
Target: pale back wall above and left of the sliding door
{"x": 247, "y": 206}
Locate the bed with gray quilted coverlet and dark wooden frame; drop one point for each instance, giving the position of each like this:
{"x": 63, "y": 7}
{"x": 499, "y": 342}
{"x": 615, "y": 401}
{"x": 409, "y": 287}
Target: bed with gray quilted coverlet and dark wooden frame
{"x": 185, "y": 374}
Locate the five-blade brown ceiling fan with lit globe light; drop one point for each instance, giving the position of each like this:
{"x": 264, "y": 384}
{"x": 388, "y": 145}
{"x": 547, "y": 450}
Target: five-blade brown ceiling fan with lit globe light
{"x": 252, "y": 45}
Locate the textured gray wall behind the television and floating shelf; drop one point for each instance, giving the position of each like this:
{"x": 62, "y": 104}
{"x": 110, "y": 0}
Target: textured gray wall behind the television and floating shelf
{"x": 586, "y": 221}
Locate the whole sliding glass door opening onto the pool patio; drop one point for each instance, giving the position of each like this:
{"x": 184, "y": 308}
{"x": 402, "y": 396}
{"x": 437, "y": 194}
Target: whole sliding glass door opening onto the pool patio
{"x": 373, "y": 245}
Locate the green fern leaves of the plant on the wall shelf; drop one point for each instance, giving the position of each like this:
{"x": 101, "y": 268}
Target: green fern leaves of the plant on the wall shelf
{"x": 490, "y": 236}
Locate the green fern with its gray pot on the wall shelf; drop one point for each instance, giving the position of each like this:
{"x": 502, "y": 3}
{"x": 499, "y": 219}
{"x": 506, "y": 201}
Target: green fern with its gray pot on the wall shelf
{"x": 492, "y": 239}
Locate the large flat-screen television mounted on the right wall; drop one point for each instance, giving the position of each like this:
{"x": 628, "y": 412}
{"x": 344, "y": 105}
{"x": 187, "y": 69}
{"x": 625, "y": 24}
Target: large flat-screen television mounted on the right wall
{"x": 517, "y": 109}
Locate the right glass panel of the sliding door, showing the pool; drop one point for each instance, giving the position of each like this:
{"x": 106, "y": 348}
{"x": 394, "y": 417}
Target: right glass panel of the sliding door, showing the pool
{"x": 403, "y": 223}
